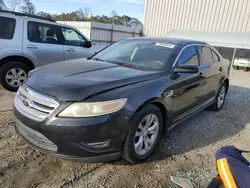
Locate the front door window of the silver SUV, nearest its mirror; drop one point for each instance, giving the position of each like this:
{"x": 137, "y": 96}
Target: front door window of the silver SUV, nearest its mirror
{"x": 72, "y": 37}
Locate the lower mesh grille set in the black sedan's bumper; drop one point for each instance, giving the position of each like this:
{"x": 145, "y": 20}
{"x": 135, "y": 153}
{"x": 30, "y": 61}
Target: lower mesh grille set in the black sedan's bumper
{"x": 35, "y": 137}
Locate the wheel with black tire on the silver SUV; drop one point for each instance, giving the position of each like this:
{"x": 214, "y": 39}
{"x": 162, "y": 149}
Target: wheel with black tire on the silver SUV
{"x": 6, "y": 71}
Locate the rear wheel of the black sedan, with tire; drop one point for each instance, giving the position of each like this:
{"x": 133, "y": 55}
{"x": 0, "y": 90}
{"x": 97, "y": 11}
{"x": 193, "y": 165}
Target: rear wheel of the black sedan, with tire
{"x": 220, "y": 98}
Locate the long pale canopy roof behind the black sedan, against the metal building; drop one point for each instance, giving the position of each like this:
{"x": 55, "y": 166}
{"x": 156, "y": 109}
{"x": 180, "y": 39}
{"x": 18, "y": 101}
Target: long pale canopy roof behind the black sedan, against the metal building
{"x": 222, "y": 39}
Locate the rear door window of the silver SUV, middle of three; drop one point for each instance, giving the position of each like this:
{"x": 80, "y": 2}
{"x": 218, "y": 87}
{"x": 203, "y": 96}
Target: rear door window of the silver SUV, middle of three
{"x": 45, "y": 33}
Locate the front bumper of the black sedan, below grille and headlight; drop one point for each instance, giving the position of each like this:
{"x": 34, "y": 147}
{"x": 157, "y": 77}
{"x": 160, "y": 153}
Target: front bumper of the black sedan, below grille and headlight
{"x": 95, "y": 139}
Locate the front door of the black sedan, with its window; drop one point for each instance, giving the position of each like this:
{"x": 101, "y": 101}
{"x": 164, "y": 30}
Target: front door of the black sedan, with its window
{"x": 187, "y": 88}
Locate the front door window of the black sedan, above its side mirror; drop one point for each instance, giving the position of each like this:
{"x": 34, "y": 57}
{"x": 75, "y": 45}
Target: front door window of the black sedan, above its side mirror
{"x": 189, "y": 56}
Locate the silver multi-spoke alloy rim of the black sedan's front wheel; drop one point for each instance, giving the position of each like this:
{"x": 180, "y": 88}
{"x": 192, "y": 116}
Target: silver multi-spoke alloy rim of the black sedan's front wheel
{"x": 146, "y": 134}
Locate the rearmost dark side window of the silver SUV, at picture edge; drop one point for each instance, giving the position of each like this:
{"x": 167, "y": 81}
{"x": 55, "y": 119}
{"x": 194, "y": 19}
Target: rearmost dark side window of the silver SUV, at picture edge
{"x": 7, "y": 27}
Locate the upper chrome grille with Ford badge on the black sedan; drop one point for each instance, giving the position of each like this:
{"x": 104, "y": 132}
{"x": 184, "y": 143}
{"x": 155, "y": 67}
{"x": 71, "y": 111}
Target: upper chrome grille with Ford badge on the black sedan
{"x": 34, "y": 105}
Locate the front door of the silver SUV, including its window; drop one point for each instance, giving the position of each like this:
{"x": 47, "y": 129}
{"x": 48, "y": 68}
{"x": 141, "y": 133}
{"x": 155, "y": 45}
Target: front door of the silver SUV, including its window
{"x": 73, "y": 47}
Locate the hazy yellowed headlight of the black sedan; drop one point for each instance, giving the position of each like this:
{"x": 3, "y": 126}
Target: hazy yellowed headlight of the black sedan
{"x": 93, "y": 109}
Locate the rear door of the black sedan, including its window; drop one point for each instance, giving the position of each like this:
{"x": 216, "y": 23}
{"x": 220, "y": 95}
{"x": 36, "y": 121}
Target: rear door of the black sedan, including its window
{"x": 211, "y": 70}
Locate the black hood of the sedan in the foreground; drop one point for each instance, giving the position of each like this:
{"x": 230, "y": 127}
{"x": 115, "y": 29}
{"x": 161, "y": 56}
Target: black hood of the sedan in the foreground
{"x": 76, "y": 80}
